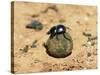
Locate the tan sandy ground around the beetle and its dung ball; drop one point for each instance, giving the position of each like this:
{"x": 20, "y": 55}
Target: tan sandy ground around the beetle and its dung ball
{"x": 78, "y": 18}
